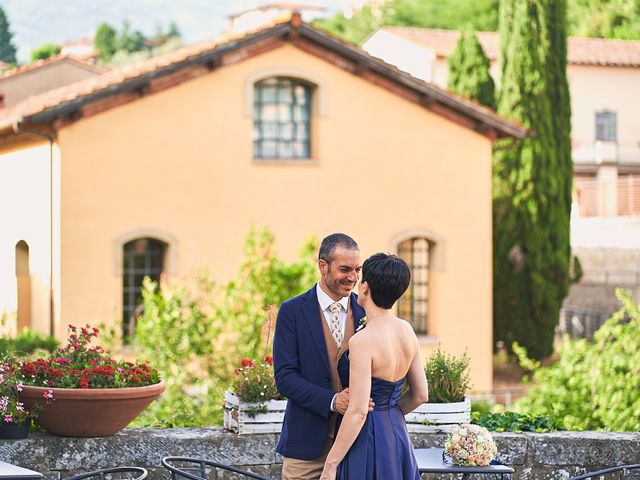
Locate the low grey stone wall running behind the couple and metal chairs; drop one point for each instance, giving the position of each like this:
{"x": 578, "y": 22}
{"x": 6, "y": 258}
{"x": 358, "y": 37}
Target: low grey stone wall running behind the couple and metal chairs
{"x": 534, "y": 456}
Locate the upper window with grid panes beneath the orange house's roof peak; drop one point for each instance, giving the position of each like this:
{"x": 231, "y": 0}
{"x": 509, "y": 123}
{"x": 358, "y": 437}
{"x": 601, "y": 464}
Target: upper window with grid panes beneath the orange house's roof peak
{"x": 282, "y": 119}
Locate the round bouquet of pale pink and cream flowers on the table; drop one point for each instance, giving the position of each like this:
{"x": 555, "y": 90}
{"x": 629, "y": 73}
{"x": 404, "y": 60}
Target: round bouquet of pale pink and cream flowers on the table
{"x": 470, "y": 445}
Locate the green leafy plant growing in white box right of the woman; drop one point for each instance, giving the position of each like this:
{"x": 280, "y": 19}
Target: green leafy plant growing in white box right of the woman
{"x": 447, "y": 376}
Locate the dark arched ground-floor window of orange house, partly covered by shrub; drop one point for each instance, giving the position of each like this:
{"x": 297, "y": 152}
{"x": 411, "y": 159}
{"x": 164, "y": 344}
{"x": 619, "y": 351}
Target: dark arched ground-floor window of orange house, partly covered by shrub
{"x": 142, "y": 257}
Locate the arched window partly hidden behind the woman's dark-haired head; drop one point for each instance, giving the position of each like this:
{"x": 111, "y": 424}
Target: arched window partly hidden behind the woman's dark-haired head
{"x": 413, "y": 306}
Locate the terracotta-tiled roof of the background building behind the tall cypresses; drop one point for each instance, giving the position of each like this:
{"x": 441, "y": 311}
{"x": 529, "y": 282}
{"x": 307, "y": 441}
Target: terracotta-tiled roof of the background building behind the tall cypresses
{"x": 581, "y": 51}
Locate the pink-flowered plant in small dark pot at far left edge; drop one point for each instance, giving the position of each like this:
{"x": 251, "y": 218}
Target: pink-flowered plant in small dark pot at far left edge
{"x": 15, "y": 417}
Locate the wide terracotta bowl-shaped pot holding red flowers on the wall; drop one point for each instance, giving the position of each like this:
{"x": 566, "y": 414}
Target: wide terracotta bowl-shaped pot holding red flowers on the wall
{"x": 90, "y": 412}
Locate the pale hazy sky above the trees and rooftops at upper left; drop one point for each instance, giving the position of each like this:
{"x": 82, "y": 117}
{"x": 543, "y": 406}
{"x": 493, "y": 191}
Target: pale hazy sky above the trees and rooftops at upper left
{"x": 34, "y": 22}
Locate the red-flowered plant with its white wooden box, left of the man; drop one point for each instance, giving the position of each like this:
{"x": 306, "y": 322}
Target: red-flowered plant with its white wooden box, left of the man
{"x": 254, "y": 405}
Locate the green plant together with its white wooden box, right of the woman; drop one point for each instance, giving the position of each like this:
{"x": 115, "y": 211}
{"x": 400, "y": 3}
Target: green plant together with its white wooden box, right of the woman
{"x": 449, "y": 381}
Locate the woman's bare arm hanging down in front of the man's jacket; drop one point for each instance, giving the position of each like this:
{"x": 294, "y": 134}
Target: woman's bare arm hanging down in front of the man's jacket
{"x": 356, "y": 414}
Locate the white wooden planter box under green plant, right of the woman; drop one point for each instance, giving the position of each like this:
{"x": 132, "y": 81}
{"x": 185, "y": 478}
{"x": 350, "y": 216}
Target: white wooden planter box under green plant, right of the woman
{"x": 430, "y": 417}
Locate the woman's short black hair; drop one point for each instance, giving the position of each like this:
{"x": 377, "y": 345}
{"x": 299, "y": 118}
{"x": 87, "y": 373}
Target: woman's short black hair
{"x": 388, "y": 277}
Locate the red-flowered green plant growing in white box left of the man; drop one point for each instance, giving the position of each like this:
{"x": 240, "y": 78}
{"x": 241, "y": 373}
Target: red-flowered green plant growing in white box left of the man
{"x": 254, "y": 382}
